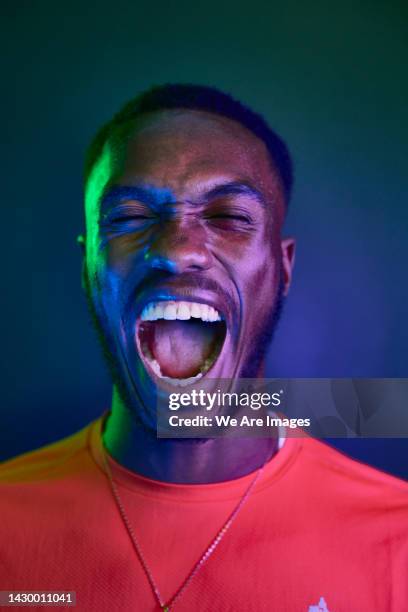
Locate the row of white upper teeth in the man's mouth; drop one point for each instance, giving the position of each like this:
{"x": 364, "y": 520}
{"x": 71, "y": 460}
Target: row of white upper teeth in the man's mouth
{"x": 179, "y": 310}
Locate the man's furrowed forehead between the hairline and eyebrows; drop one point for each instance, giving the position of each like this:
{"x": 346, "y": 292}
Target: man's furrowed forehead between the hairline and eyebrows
{"x": 180, "y": 149}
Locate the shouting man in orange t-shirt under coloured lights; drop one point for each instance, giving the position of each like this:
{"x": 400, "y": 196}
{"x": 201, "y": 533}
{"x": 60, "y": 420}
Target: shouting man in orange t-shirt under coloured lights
{"x": 185, "y": 270}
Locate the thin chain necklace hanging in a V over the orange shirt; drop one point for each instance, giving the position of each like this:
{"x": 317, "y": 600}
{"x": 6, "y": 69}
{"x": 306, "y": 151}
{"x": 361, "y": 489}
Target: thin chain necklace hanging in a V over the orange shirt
{"x": 166, "y": 606}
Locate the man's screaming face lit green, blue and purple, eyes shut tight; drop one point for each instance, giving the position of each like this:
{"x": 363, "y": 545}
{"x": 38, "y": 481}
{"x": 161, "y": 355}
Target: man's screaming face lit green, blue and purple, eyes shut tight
{"x": 185, "y": 265}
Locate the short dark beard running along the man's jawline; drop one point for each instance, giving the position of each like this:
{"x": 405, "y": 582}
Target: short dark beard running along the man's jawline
{"x": 129, "y": 395}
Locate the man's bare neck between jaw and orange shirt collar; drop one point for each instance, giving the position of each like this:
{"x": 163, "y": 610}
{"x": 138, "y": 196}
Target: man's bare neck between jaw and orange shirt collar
{"x": 179, "y": 460}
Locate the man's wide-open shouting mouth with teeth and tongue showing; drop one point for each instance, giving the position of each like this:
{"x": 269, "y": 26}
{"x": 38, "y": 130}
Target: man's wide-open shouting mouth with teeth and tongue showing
{"x": 180, "y": 341}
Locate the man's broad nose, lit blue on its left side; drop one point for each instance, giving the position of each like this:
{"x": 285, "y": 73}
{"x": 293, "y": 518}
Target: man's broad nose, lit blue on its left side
{"x": 179, "y": 248}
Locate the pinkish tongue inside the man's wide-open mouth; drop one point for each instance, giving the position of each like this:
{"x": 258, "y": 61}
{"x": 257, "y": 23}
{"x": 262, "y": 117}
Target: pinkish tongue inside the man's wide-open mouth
{"x": 181, "y": 347}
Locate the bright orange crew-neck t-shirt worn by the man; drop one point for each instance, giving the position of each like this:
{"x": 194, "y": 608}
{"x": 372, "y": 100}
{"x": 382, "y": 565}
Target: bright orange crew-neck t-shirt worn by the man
{"x": 319, "y": 532}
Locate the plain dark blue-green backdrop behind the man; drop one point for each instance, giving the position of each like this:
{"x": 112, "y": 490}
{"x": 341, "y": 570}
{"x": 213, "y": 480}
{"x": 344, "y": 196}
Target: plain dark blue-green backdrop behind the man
{"x": 331, "y": 79}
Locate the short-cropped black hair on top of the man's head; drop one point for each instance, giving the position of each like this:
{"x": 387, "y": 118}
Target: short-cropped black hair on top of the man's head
{"x": 201, "y": 98}
